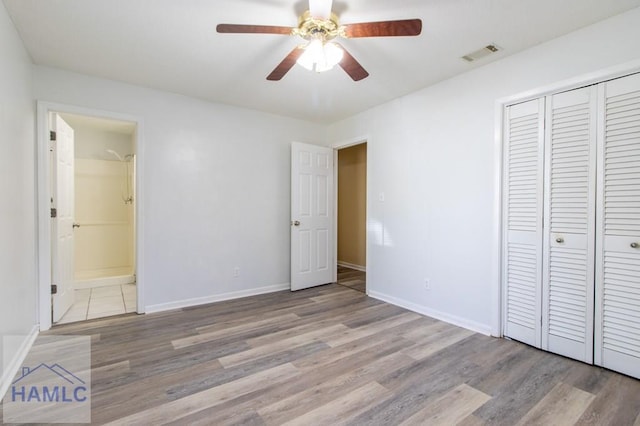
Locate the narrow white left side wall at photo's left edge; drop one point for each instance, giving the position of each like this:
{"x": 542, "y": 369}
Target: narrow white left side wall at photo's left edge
{"x": 17, "y": 188}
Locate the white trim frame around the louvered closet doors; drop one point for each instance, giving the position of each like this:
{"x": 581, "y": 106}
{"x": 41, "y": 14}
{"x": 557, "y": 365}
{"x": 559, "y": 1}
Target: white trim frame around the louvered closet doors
{"x": 497, "y": 302}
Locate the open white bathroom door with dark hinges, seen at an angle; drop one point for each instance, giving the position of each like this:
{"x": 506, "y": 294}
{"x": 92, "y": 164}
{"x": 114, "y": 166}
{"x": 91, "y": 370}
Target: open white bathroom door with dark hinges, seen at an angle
{"x": 62, "y": 251}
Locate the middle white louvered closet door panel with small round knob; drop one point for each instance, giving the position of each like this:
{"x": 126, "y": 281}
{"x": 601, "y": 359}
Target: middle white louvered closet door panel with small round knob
{"x": 569, "y": 223}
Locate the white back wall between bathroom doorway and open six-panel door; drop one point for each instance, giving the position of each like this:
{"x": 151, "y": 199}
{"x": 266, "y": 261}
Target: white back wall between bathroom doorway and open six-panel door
{"x": 216, "y": 186}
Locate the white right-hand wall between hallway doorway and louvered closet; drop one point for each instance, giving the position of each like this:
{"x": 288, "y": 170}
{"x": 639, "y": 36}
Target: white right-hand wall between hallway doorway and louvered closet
{"x": 433, "y": 154}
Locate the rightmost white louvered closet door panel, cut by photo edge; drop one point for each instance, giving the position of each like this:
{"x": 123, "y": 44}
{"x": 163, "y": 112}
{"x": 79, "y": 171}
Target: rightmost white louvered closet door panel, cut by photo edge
{"x": 617, "y": 334}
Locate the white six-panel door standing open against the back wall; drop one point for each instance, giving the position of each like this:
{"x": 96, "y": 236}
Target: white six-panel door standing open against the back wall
{"x": 312, "y": 216}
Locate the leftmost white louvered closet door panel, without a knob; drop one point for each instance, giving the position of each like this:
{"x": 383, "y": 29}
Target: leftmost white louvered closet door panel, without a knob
{"x": 522, "y": 266}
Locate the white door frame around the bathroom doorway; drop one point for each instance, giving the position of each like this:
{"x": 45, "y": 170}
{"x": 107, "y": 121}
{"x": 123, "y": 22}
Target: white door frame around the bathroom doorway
{"x": 44, "y": 195}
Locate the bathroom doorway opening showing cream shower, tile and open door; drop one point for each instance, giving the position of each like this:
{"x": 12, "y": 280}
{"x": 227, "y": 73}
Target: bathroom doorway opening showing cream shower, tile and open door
{"x": 93, "y": 194}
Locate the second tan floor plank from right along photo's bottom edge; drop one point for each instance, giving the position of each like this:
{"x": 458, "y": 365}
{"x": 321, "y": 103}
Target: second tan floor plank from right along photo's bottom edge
{"x": 449, "y": 409}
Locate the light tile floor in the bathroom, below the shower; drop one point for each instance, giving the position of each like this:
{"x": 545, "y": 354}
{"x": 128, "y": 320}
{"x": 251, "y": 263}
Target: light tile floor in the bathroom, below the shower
{"x": 101, "y": 302}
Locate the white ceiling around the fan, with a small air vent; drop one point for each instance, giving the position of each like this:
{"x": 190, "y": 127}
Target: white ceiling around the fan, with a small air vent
{"x": 172, "y": 45}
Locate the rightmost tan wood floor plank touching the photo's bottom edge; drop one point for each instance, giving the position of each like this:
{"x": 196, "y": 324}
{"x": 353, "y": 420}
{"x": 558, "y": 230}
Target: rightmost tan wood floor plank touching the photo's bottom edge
{"x": 563, "y": 405}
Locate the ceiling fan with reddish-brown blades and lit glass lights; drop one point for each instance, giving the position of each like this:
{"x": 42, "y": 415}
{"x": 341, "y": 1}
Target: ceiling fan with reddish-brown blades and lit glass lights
{"x": 319, "y": 26}
